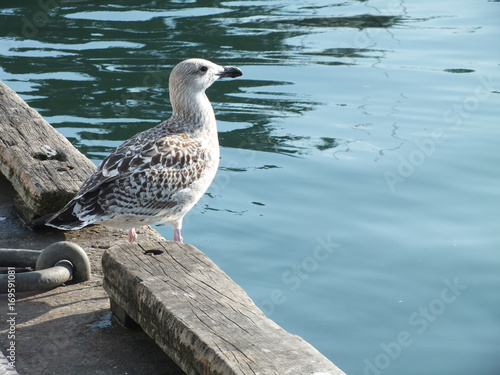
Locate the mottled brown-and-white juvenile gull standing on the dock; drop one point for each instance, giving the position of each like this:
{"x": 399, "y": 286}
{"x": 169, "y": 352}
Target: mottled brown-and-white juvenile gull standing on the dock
{"x": 158, "y": 175}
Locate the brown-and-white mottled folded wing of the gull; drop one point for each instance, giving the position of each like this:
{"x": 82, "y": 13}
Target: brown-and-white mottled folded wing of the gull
{"x": 139, "y": 177}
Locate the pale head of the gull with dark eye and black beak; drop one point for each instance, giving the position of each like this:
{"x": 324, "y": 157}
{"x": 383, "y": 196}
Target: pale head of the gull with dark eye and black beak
{"x": 196, "y": 75}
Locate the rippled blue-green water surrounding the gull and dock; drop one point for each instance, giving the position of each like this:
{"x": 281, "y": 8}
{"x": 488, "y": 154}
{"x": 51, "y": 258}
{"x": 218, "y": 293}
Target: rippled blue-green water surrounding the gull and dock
{"x": 357, "y": 200}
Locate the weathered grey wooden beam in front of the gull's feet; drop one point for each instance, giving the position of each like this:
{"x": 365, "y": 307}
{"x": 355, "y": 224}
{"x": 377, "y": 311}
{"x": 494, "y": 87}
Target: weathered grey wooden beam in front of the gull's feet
{"x": 203, "y": 320}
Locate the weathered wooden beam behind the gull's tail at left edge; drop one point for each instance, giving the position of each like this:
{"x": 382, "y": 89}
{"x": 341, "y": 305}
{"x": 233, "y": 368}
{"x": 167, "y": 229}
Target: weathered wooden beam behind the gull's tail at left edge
{"x": 42, "y": 165}
